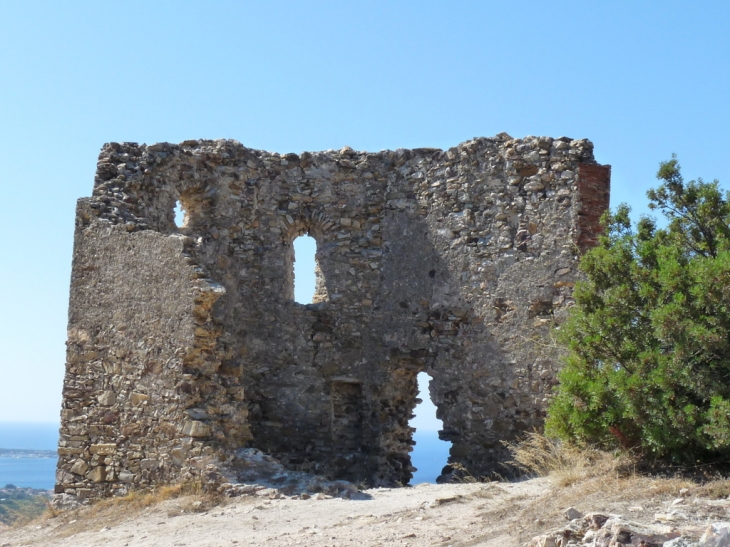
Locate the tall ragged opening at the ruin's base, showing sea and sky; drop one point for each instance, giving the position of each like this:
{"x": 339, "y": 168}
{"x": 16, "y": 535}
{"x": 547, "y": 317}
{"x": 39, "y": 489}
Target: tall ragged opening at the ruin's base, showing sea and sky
{"x": 430, "y": 454}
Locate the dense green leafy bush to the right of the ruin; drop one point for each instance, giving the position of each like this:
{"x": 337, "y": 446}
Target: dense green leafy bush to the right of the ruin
{"x": 649, "y": 338}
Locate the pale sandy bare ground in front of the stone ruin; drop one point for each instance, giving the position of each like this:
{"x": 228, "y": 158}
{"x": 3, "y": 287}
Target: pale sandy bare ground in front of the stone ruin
{"x": 427, "y": 514}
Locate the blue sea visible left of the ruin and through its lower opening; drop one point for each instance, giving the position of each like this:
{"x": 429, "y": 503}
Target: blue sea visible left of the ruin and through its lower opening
{"x": 429, "y": 455}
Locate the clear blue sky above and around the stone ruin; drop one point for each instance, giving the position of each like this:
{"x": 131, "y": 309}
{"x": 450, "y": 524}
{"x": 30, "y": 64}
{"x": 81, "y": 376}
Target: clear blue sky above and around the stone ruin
{"x": 640, "y": 79}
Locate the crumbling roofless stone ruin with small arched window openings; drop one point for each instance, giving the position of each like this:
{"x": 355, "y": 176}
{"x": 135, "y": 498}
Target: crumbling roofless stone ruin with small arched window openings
{"x": 185, "y": 343}
